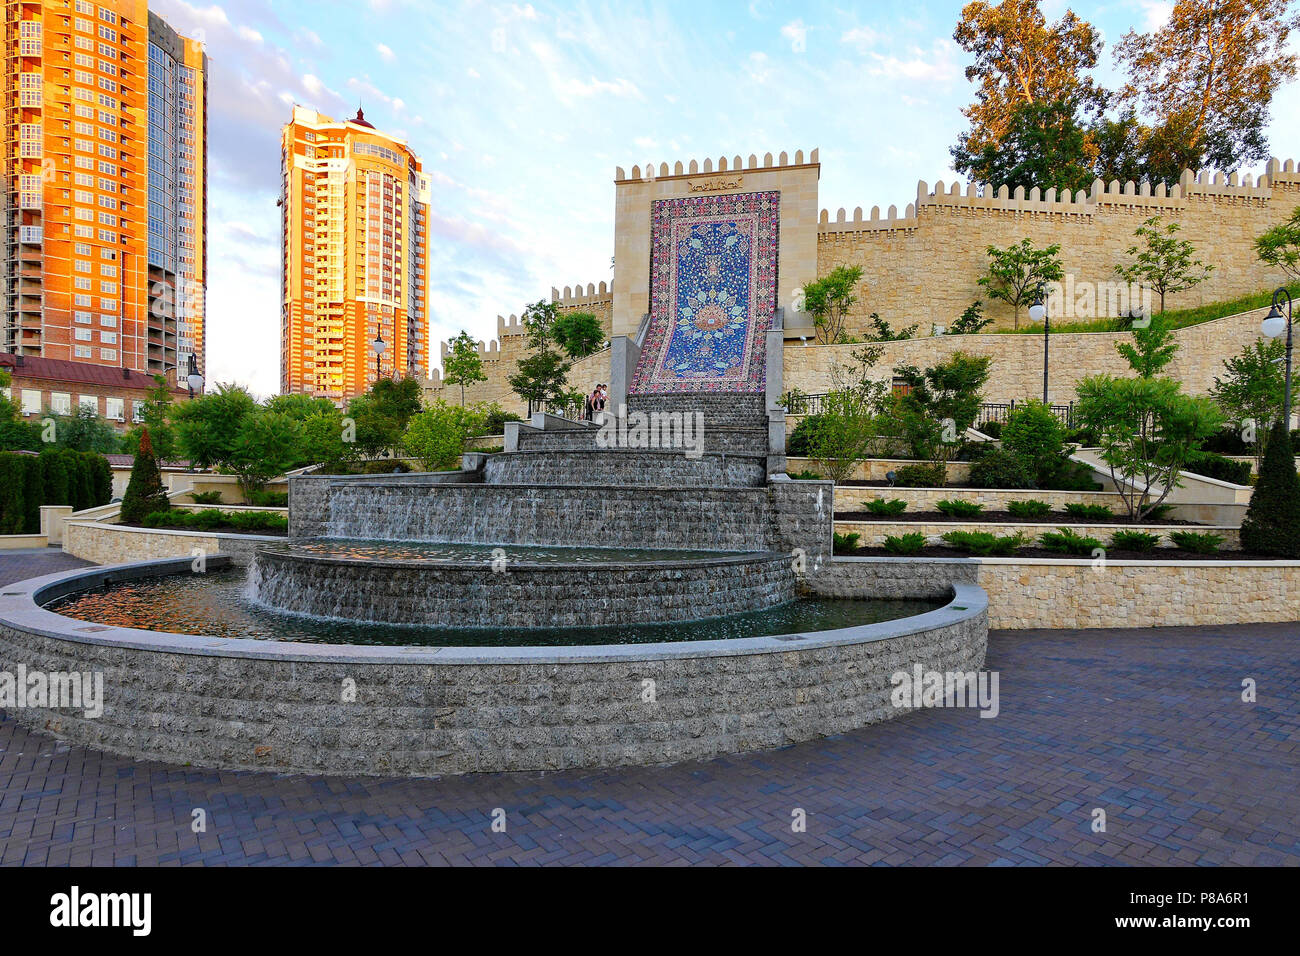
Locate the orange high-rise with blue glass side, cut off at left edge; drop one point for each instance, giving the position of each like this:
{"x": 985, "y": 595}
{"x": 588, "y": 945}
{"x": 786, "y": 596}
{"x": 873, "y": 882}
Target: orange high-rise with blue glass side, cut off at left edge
{"x": 106, "y": 194}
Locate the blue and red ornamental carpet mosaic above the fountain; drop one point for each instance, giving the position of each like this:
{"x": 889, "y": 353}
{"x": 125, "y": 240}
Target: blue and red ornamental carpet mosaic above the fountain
{"x": 713, "y": 295}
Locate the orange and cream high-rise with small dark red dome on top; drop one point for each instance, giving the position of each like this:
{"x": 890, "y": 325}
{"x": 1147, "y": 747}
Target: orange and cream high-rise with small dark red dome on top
{"x": 354, "y": 209}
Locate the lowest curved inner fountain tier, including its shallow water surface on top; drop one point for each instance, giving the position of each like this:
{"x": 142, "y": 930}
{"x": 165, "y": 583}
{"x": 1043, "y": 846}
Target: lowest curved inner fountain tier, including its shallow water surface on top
{"x": 513, "y": 586}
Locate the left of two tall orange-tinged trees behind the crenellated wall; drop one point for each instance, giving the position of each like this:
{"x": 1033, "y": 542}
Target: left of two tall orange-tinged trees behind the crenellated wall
{"x": 1021, "y": 60}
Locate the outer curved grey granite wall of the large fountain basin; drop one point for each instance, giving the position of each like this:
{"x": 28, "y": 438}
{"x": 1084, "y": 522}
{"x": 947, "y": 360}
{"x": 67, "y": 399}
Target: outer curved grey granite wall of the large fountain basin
{"x": 422, "y": 713}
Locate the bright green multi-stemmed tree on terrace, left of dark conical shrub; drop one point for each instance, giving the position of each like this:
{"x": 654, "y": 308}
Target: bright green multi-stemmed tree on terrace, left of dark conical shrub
{"x": 1149, "y": 432}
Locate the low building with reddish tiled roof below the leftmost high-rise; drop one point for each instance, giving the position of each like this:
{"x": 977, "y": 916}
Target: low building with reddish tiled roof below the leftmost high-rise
{"x": 116, "y": 395}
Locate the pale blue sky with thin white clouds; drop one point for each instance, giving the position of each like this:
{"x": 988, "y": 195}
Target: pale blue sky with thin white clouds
{"x": 522, "y": 111}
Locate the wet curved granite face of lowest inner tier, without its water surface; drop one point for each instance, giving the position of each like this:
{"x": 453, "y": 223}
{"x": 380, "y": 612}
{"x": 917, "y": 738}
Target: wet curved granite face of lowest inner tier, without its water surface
{"x": 523, "y": 595}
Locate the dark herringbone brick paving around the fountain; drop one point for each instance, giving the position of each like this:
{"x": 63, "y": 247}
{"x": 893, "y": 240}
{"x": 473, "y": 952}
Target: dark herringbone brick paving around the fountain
{"x": 1145, "y": 725}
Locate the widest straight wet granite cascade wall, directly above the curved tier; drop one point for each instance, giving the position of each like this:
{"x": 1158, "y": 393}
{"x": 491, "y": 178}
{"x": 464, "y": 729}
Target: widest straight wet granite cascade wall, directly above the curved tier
{"x": 731, "y": 520}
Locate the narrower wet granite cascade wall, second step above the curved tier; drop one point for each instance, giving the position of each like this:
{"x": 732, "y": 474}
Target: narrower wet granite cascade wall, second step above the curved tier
{"x": 627, "y": 468}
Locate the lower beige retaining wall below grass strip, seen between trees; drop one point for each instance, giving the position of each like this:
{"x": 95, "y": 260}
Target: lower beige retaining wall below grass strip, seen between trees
{"x": 1017, "y": 370}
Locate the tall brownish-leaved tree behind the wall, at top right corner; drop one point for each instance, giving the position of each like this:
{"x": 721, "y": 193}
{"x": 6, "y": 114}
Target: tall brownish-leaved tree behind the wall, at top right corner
{"x": 1207, "y": 80}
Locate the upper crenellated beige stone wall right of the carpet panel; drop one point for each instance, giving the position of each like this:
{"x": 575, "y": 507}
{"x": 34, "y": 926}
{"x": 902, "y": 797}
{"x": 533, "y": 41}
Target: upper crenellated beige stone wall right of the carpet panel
{"x": 922, "y": 267}
